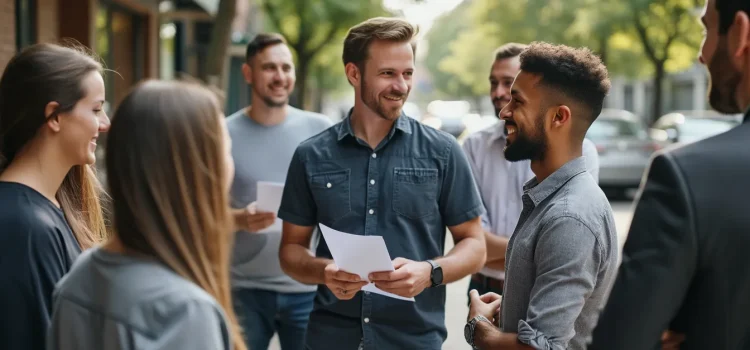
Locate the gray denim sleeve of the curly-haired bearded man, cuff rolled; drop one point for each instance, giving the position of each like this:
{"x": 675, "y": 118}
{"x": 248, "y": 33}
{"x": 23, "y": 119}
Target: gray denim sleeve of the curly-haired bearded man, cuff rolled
{"x": 567, "y": 260}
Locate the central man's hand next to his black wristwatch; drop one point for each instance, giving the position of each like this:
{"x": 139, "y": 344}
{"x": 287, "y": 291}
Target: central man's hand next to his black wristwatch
{"x": 409, "y": 279}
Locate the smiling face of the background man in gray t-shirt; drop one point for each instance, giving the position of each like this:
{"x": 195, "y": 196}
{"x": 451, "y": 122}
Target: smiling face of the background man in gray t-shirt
{"x": 271, "y": 74}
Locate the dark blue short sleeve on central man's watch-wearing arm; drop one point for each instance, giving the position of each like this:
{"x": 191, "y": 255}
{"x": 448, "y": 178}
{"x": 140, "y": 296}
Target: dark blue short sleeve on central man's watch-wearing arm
{"x": 459, "y": 198}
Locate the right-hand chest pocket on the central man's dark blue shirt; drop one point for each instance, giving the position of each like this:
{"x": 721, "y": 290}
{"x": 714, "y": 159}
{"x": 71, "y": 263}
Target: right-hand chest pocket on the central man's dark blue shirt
{"x": 415, "y": 192}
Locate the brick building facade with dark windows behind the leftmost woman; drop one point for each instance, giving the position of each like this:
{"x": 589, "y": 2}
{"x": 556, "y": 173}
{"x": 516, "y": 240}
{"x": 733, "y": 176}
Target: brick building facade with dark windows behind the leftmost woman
{"x": 124, "y": 33}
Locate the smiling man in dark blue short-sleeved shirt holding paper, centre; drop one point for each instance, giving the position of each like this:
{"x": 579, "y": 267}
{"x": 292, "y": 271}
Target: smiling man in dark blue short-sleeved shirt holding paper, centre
{"x": 379, "y": 172}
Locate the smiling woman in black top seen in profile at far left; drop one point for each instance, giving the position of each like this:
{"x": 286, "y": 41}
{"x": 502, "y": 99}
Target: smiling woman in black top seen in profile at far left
{"x": 51, "y": 100}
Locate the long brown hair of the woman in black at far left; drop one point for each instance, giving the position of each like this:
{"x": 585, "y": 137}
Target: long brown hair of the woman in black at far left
{"x": 36, "y": 76}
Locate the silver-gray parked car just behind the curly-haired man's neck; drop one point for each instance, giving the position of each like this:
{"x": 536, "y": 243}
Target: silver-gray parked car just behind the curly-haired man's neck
{"x": 624, "y": 147}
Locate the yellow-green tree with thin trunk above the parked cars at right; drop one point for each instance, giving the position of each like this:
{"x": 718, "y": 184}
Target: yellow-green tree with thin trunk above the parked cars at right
{"x": 670, "y": 36}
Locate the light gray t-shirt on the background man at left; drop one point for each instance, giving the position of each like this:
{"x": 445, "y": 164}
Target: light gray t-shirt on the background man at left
{"x": 263, "y": 153}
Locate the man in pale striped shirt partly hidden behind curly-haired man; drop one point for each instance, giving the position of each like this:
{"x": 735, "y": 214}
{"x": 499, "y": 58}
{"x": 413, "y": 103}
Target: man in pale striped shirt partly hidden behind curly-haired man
{"x": 501, "y": 181}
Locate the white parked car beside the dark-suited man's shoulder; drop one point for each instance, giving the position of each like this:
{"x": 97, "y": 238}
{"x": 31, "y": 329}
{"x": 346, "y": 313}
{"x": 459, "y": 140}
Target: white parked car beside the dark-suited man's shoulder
{"x": 683, "y": 127}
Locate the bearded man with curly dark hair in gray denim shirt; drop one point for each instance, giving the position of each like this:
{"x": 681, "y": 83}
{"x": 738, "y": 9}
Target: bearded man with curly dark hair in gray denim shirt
{"x": 562, "y": 257}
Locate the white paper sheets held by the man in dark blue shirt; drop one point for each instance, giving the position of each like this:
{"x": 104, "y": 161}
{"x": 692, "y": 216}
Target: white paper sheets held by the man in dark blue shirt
{"x": 360, "y": 255}
